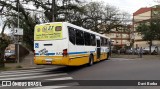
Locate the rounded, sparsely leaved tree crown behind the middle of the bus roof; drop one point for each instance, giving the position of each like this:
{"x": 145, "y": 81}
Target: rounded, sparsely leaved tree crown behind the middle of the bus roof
{"x": 102, "y": 18}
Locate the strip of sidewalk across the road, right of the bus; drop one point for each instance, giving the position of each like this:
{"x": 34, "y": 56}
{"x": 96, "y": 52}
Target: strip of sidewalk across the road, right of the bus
{"x": 136, "y": 56}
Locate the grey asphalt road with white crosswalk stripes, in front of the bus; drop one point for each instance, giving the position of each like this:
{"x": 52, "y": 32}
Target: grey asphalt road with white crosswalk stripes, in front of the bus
{"x": 72, "y": 77}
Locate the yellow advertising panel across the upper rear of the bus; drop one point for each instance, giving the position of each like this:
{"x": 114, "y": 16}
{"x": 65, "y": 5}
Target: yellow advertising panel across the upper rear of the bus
{"x": 48, "y": 32}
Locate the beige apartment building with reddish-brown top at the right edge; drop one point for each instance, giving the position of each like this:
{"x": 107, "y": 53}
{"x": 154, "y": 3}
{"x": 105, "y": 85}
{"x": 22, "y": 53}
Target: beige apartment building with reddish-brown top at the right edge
{"x": 140, "y": 16}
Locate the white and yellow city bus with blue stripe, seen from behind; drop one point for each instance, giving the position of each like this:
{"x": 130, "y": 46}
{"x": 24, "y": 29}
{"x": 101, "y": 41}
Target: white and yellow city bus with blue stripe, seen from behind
{"x": 62, "y": 43}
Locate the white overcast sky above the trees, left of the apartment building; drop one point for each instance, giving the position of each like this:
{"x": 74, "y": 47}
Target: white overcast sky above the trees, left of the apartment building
{"x": 129, "y": 5}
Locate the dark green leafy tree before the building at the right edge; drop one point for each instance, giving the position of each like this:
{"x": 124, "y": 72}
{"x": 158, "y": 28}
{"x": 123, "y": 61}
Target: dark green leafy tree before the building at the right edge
{"x": 150, "y": 31}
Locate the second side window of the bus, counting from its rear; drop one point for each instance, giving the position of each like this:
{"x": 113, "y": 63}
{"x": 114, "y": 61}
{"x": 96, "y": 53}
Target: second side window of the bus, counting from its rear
{"x": 79, "y": 37}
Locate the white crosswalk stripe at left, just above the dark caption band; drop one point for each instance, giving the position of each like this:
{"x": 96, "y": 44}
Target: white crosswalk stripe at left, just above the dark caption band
{"x": 32, "y": 77}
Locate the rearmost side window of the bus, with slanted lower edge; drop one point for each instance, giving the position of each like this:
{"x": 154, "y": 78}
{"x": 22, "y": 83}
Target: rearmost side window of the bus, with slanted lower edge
{"x": 72, "y": 35}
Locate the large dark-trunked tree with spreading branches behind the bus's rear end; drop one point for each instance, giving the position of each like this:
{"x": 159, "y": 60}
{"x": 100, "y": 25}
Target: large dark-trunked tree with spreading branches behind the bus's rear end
{"x": 14, "y": 9}
